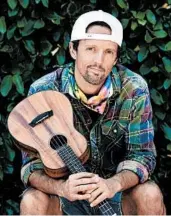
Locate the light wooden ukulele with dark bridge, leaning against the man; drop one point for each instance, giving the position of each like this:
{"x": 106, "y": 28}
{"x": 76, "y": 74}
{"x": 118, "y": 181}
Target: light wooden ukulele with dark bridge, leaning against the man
{"x": 43, "y": 125}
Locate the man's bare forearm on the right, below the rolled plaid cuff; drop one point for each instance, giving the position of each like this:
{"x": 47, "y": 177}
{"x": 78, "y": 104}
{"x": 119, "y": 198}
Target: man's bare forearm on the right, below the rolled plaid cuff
{"x": 125, "y": 180}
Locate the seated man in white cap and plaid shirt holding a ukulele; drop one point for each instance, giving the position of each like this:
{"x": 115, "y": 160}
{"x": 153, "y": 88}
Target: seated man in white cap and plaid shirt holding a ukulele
{"x": 112, "y": 110}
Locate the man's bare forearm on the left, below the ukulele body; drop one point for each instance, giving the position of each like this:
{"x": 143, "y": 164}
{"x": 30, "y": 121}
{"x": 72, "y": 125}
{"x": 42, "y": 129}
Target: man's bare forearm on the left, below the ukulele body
{"x": 42, "y": 182}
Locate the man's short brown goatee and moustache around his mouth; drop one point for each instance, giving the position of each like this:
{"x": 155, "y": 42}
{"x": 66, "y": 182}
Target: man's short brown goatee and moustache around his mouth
{"x": 94, "y": 75}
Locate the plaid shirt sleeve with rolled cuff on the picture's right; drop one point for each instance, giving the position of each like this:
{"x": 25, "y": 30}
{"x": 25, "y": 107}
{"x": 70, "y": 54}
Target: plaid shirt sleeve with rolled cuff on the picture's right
{"x": 141, "y": 152}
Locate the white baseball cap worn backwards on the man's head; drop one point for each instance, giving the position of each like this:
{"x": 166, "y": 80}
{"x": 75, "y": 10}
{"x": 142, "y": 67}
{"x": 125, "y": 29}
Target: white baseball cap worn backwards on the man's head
{"x": 79, "y": 28}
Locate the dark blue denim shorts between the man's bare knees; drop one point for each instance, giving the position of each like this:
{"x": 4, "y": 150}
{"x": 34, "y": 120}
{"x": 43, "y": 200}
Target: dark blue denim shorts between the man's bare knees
{"x": 82, "y": 207}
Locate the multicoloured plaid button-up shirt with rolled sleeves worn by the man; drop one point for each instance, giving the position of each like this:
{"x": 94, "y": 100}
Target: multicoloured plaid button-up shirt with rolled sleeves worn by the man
{"x": 121, "y": 138}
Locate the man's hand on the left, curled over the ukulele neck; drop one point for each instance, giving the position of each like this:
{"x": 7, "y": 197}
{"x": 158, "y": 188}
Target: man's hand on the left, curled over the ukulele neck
{"x": 76, "y": 187}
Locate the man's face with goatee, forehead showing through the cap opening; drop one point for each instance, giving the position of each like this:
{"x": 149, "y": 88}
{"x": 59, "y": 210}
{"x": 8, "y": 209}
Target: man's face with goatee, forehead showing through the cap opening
{"x": 94, "y": 59}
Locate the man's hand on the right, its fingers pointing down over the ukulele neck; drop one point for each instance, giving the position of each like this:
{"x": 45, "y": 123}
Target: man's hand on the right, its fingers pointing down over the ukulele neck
{"x": 106, "y": 188}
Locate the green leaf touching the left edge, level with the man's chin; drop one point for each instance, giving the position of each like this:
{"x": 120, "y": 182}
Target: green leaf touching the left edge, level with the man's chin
{"x": 6, "y": 85}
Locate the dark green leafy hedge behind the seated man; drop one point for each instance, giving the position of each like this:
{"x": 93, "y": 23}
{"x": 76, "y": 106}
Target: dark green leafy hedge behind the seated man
{"x": 34, "y": 36}
